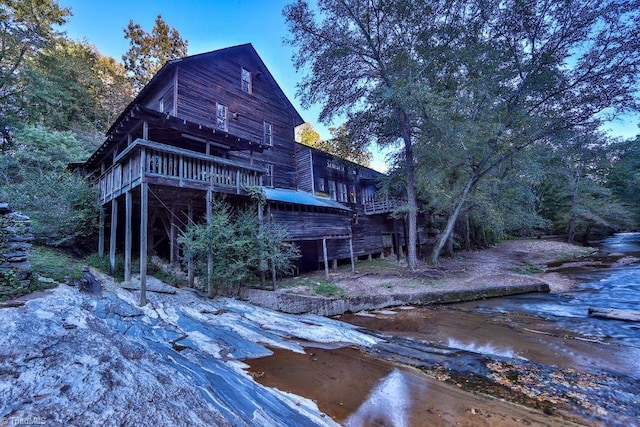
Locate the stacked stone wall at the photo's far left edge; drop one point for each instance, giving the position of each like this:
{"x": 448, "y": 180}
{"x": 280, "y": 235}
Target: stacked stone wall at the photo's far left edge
{"x": 15, "y": 238}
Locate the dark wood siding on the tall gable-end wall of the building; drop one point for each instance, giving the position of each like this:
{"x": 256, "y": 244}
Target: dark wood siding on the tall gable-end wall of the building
{"x": 205, "y": 81}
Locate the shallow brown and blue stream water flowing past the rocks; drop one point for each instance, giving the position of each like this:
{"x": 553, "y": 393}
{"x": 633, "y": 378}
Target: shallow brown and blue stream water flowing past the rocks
{"x": 551, "y": 330}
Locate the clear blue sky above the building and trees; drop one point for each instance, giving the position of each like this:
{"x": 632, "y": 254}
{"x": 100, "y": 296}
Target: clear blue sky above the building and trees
{"x": 215, "y": 24}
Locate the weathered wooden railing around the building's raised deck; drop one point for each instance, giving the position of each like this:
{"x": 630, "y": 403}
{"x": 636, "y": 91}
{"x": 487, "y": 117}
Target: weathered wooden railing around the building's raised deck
{"x": 172, "y": 166}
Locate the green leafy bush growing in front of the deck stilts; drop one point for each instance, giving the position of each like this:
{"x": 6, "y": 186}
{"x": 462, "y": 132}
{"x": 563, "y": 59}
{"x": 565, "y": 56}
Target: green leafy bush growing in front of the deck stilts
{"x": 238, "y": 247}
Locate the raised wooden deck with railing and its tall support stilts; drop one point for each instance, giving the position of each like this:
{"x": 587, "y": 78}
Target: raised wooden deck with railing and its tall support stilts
{"x": 163, "y": 184}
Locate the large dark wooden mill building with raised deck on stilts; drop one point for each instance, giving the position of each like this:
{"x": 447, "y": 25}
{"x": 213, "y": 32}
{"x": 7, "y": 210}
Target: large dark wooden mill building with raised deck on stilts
{"x": 218, "y": 122}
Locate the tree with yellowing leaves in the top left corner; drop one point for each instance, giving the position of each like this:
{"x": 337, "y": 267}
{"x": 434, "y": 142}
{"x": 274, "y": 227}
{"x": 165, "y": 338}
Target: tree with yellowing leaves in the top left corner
{"x": 26, "y": 27}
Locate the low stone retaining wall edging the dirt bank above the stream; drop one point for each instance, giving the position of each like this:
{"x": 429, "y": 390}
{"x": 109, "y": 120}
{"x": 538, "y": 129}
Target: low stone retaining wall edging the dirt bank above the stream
{"x": 299, "y": 304}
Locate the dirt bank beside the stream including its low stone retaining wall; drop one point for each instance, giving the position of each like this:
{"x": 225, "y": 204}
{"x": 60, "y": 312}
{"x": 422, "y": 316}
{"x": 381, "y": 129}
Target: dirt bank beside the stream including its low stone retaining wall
{"x": 508, "y": 268}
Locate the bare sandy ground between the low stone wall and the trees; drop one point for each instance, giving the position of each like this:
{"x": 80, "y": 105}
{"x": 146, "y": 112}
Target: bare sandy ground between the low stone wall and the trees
{"x": 509, "y": 263}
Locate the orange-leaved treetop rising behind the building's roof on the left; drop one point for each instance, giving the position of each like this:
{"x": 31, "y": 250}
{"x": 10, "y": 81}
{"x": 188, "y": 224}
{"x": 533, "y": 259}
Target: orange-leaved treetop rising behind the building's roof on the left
{"x": 149, "y": 52}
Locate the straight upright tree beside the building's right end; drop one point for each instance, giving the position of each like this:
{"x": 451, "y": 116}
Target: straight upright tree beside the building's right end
{"x": 361, "y": 62}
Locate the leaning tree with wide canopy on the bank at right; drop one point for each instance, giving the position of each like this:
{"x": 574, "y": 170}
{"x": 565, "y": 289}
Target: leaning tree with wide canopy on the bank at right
{"x": 538, "y": 69}
